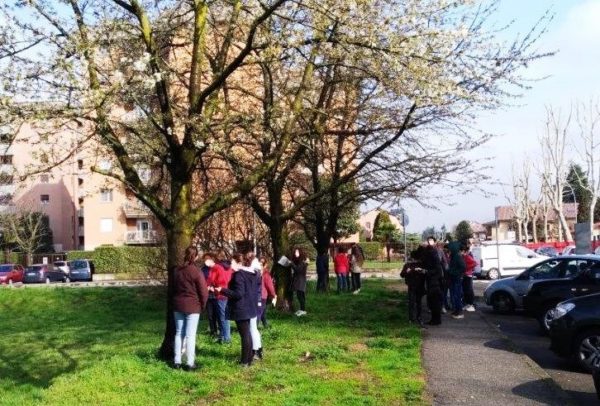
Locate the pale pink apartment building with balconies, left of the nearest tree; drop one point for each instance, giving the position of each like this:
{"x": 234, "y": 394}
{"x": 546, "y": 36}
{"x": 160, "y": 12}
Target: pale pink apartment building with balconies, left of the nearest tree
{"x": 85, "y": 209}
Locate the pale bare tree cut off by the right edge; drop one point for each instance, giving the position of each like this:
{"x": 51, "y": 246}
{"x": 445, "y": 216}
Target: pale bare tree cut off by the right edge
{"x": 588, "y": 121}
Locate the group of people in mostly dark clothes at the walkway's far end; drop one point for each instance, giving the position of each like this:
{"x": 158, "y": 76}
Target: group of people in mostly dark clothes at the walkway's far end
{"x": 444, "y": 274}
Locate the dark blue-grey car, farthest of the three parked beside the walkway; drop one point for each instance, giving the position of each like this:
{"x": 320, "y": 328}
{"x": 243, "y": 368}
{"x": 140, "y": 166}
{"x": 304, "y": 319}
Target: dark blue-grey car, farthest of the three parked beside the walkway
{"x": 507, "y": 294}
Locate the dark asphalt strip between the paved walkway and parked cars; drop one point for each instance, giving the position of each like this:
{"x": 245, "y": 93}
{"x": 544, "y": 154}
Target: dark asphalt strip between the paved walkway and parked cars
{"x": 526, "y": 335}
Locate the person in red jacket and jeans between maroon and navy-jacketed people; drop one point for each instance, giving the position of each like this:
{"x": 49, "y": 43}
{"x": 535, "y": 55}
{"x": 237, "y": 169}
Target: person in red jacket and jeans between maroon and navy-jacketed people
{"x": 219, "y": 277}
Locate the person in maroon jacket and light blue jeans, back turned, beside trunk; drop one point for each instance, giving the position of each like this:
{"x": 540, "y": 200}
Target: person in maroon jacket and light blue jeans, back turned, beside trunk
{"x": 190, "y": 294}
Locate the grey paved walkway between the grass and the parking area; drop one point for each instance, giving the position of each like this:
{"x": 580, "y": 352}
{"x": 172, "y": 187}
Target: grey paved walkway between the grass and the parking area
{"x": 470, "y": 362}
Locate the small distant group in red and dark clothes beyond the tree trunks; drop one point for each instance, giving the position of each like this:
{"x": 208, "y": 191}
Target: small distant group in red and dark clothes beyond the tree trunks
{"x": 347, "y": 266}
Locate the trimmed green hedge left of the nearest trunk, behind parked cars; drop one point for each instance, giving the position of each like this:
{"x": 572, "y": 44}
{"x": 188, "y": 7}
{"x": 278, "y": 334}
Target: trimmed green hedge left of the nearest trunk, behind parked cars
{"x": 130, "y": 260}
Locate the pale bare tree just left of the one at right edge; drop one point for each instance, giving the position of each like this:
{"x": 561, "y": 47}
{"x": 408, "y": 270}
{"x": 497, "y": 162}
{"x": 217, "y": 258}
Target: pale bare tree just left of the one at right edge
{"x": 554, "y": 142}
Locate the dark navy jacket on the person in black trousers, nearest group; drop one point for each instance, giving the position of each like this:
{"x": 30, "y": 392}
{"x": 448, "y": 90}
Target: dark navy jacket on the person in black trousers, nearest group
{"x": 242, "y": 303}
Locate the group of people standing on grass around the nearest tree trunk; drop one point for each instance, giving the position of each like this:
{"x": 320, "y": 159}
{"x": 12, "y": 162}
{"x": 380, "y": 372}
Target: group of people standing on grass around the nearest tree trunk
{"x": 227, "y": 289}
